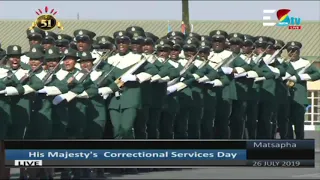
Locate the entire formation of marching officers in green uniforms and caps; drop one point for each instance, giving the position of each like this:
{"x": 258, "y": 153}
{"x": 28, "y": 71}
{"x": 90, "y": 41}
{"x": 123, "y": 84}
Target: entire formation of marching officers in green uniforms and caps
{"x": 215, "y": 86}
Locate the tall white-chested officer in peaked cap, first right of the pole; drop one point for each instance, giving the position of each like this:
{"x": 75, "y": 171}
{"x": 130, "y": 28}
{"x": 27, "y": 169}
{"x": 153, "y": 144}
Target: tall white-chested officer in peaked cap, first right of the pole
{"x": 225, "y": 85}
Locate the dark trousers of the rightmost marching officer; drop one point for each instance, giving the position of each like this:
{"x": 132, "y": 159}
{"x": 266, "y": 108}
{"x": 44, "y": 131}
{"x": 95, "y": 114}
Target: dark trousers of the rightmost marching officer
{"x": 296, "y": 118}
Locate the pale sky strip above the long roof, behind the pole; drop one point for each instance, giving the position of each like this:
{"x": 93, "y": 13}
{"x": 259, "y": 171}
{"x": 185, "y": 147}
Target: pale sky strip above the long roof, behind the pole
{"x": 157, "y": 10}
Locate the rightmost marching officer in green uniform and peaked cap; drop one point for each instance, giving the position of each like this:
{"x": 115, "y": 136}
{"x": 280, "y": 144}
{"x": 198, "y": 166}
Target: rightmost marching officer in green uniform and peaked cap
{"x": 298, "y": 73}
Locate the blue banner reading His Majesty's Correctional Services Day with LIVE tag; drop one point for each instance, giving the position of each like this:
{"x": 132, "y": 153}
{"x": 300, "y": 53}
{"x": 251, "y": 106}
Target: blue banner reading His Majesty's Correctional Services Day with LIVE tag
{"x": 120, "y": 158}
